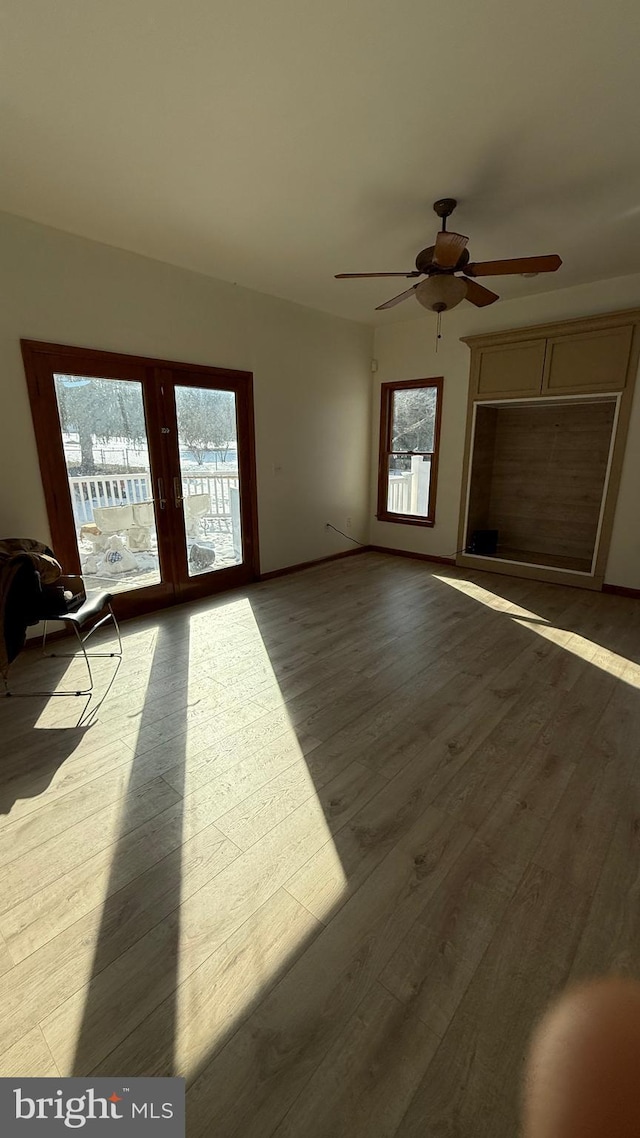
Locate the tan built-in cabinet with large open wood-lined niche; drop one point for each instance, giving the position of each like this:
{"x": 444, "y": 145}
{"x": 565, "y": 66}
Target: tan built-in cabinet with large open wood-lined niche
{"x": 547, "y": 425}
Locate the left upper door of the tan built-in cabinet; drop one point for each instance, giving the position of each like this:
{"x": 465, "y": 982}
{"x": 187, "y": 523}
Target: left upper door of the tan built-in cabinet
{"x": 508, "y": 370}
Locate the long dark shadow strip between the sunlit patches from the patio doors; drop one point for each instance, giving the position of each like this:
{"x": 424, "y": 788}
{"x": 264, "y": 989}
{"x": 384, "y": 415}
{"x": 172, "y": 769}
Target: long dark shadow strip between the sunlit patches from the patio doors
{"x": 144, "y": 885}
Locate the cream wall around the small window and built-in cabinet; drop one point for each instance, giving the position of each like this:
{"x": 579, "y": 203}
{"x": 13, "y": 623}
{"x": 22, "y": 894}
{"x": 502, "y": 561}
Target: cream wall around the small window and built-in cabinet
{"x": 407, "y": 351}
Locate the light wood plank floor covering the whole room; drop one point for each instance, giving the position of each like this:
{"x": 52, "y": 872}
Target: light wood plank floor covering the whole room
{"x": 329, "y": 851}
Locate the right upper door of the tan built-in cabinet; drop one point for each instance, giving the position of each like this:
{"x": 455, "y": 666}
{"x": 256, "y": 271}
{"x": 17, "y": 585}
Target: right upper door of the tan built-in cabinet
{"x": 588, "y": 361}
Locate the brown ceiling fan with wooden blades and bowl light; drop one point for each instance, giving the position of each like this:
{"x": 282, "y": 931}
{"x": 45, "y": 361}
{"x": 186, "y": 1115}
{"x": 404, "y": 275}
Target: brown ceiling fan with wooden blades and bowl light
{"x": 440, "y": 262}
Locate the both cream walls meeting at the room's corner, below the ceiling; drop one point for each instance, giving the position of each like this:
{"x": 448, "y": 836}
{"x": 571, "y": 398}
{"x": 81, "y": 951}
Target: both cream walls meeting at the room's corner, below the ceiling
{"x": 313, "y": 391}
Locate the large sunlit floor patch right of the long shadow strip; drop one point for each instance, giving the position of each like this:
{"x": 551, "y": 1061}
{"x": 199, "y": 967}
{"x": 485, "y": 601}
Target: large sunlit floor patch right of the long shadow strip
{"x": 214, "y": 996}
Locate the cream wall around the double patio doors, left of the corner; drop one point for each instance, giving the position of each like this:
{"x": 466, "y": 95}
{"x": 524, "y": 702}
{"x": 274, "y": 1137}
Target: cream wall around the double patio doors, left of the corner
{"x": 311, "y": 377}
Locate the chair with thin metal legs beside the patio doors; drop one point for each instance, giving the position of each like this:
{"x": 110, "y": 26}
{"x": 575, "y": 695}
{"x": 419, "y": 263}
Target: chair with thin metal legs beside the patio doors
{"x": 77, "y": 613}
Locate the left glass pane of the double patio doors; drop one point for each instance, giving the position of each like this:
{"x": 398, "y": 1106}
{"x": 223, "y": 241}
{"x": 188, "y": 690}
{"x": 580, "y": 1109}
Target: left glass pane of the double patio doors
{"x": 110, "y": 477}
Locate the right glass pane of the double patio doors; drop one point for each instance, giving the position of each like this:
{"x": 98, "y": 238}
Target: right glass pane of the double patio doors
{"x": 210, "y": 482}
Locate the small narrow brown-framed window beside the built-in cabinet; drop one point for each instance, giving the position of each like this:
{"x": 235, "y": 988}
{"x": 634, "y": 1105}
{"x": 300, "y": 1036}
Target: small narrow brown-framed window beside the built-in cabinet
{"x": 411, "y": 415}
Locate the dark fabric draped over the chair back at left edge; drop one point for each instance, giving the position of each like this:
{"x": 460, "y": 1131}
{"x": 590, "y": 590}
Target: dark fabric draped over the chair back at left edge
{"x": 20, "y": 559}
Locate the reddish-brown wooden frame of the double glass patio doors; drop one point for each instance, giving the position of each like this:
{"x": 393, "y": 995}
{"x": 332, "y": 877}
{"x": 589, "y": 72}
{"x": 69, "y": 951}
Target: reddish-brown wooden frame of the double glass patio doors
{"x": 40, "y": 360}
